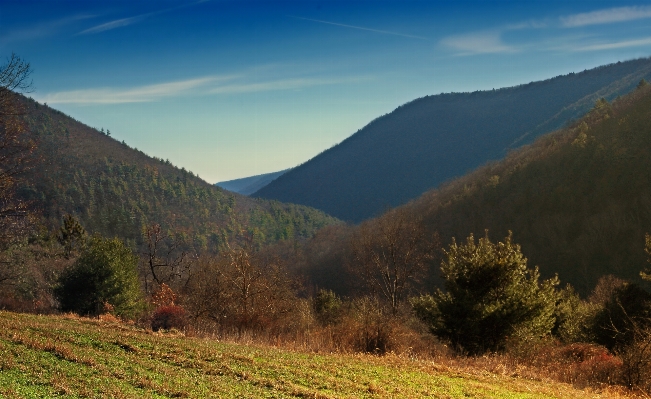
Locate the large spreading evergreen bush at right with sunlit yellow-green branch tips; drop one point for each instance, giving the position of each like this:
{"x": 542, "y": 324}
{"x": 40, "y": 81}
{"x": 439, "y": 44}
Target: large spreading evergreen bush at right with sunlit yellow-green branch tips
{"x": 491, "y": 296}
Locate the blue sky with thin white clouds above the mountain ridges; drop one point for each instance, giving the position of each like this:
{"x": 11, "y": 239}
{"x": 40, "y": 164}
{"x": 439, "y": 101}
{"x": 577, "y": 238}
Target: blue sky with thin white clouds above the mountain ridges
{"x": 230, "y": 89}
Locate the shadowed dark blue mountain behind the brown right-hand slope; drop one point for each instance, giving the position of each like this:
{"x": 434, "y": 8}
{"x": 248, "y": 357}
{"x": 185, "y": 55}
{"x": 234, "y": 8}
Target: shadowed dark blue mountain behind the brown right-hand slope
{"x": 428, "y": 141}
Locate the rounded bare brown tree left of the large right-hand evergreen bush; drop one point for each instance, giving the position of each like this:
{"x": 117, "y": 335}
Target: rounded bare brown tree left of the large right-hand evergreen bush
{"x": 390, "y": 254}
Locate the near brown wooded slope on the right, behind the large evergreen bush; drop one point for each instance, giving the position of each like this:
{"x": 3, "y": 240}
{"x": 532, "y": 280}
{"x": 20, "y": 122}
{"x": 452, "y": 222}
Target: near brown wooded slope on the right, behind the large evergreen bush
{"x": 577, "y": 200}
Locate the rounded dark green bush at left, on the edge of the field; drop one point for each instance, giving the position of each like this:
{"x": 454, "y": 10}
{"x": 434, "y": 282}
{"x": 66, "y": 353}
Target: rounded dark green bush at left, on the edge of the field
{"x": 105, "y": 273}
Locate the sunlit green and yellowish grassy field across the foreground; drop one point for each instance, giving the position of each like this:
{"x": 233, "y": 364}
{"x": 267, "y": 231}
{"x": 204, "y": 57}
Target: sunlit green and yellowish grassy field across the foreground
{"x": 52, "y": 356}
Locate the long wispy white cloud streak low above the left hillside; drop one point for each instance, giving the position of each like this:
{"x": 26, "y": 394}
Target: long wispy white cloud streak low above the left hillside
{"x": 209, "y": 85}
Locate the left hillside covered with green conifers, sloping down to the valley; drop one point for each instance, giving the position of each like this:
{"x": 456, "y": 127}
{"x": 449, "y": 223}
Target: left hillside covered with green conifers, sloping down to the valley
{"x": 116, "y": 190}
